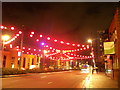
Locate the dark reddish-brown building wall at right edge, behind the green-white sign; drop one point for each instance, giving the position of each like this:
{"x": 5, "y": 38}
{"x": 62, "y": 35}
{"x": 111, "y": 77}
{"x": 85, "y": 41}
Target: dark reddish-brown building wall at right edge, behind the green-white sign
{"x": 114, "y": 35}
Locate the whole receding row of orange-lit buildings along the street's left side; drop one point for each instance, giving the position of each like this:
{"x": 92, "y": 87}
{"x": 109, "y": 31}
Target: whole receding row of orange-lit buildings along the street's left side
{"x": 11, "y": 59}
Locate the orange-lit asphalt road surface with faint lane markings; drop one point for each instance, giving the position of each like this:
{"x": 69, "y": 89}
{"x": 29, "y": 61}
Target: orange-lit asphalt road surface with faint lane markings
{"x": 64, "y": 79}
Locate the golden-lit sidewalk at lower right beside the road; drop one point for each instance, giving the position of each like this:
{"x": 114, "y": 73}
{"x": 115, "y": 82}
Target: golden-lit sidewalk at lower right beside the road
{"x": 100, "y": 80}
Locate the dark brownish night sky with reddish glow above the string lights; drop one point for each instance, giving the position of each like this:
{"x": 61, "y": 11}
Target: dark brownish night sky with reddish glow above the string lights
{"x": 69, "y": 21}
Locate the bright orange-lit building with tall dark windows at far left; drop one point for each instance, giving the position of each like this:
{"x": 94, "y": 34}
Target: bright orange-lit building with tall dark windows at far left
{"x": 11, "y": 59}
